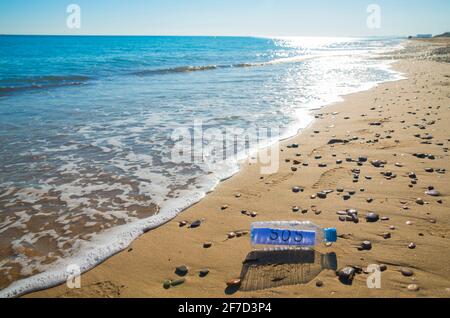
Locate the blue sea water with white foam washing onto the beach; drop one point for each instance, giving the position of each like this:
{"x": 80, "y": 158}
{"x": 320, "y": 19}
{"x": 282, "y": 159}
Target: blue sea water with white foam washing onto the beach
{"x": 86, "y": 124}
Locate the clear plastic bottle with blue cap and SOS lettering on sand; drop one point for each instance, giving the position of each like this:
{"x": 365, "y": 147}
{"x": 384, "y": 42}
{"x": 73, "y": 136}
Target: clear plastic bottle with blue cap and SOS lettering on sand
{"x": 293, "y": 234}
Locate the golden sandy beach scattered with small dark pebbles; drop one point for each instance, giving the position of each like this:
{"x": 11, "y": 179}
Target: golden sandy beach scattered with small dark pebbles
{"x": 382, "y": 151}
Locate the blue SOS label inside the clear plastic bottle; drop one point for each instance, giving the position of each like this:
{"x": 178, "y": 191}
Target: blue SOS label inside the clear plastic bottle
{"x": 267, "y": 236}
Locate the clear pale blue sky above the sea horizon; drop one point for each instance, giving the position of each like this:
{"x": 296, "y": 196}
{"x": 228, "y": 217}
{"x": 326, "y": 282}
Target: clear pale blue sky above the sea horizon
{"x": 225, "y": 17}
